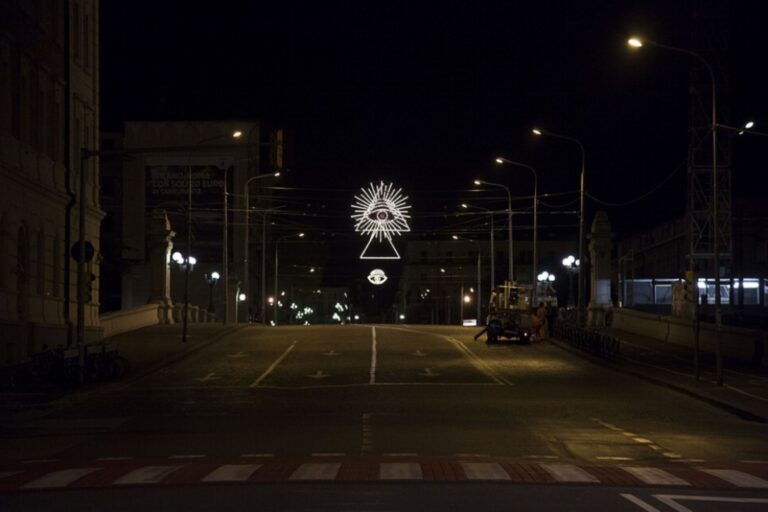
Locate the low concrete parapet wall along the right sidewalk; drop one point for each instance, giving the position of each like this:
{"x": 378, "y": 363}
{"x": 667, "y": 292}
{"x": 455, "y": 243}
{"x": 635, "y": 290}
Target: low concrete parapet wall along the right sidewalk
{"x": 746, "y": 345}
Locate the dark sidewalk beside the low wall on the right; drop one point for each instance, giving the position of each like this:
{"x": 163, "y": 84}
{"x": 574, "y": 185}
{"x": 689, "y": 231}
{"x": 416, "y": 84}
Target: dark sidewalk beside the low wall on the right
{"x": 744, "y": 391}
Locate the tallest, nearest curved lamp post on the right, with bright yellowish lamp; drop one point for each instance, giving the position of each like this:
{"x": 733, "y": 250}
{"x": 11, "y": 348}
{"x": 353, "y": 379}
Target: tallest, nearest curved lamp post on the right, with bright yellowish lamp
{"x": 635, "y": 42}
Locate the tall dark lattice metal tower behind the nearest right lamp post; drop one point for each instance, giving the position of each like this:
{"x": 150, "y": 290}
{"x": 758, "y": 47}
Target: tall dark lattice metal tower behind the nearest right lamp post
{"x": 710, "y": 27}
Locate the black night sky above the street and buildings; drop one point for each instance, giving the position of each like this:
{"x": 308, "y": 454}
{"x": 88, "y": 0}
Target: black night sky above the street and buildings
{"x": 426, "y": 94}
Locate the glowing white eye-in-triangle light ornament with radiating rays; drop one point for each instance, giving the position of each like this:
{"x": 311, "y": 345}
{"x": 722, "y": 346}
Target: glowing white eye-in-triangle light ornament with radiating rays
{"x": 380, "y": 211}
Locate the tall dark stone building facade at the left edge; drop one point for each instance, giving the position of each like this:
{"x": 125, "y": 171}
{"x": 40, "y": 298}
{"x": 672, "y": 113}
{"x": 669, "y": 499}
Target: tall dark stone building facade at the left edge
{"x": 49, "y": 111}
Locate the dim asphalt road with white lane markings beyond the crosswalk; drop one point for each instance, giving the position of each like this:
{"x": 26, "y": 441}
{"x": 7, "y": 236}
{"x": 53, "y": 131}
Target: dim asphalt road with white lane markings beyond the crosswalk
{"x": 388, "y": 391}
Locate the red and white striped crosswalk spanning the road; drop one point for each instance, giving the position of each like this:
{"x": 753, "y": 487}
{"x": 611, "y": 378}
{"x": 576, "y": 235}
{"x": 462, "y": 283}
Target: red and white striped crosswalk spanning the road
{"x": 105, "y": 473}
